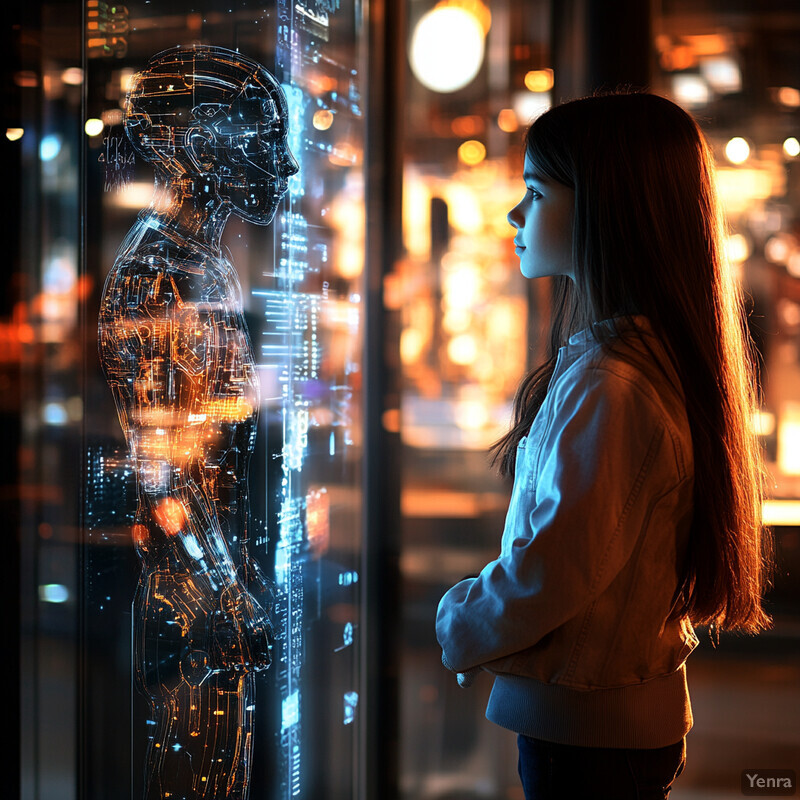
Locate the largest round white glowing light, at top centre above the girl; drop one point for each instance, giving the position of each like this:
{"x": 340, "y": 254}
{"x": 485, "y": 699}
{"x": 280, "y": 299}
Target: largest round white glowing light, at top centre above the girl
{"x": 447, "y": 48}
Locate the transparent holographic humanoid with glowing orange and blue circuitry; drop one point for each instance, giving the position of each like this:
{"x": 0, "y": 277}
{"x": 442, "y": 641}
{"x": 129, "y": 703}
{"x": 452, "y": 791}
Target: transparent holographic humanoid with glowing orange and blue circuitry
{"x": 180, "y": 363}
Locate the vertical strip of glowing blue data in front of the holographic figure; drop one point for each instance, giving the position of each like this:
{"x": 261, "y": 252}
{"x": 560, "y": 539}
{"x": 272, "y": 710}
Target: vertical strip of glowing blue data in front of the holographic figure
{"x": 311, "y": 350}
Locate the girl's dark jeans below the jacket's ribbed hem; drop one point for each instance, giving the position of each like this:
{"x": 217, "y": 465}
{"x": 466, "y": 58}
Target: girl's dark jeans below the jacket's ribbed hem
{"x": 552, "y": 771}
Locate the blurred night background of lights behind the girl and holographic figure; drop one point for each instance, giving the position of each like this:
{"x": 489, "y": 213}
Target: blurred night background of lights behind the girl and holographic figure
{"x": 392, "y": 326}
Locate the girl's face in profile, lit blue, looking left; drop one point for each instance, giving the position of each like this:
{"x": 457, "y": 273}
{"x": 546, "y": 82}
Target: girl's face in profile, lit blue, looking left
{"x": 543, "y": 219}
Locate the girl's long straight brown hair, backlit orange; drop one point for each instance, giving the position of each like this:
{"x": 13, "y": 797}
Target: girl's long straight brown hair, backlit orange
{"x": 647, "y": 240}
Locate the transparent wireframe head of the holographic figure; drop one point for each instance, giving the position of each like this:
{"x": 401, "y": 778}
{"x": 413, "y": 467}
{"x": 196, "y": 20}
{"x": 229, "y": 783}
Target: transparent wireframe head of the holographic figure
{"x": 211, "y": 112}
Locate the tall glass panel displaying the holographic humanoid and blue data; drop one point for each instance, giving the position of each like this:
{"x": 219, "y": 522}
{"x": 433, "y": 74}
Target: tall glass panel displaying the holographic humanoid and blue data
{"x": 196, "y": 484}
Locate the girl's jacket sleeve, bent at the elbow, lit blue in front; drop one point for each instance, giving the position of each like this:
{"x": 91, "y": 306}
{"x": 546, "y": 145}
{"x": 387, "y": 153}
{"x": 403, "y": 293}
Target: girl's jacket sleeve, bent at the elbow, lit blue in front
{"x": 572, "y": 533}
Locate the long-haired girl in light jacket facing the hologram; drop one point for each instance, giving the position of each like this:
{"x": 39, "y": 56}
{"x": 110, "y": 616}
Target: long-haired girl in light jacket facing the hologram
{"x": 636, "y": 507}
